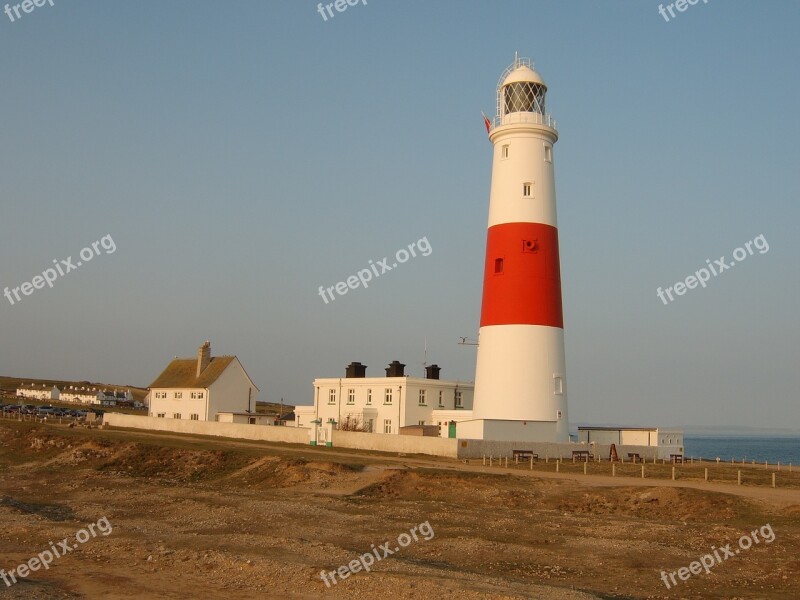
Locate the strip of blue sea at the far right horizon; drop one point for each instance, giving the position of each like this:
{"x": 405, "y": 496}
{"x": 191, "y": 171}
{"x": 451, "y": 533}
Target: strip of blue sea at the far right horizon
{"x": 783, "y": 449}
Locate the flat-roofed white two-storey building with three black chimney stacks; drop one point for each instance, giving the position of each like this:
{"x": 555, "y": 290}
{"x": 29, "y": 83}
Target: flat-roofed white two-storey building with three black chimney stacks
{"x": 385, "y": 404}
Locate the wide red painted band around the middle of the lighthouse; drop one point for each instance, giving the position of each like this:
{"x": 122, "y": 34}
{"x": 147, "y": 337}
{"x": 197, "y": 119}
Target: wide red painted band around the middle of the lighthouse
{"x": 522, "y": 277}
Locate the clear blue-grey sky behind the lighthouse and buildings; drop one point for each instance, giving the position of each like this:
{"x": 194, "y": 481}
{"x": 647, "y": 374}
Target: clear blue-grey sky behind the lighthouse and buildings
{"x": 237, "y": 156}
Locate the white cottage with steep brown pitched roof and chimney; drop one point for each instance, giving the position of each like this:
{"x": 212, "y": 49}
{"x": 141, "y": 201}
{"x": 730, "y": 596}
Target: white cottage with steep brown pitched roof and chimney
{"x": 199, "y": 389}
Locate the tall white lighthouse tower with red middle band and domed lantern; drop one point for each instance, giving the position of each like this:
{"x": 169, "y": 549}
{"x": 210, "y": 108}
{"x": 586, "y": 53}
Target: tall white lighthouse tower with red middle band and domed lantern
{"x": 520, "y": 379}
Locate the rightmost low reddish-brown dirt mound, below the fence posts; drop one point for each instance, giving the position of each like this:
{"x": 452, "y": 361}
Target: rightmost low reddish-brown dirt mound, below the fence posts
{"x": 664, "y": 503}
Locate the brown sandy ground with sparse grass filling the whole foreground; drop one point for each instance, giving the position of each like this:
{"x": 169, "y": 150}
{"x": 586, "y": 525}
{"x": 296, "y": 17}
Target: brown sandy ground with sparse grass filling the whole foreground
{"x": 200, "y": 518}
